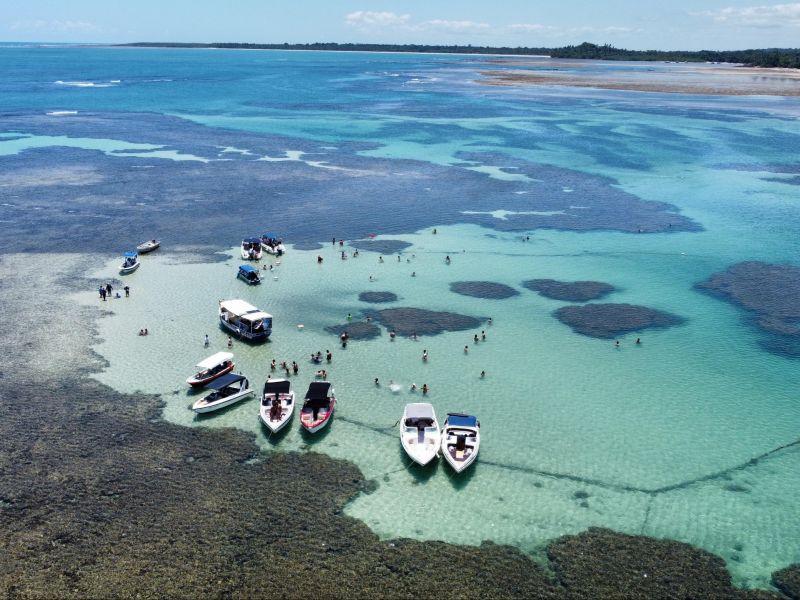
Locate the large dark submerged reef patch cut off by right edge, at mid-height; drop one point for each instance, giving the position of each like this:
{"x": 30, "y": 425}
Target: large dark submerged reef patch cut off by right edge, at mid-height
{"x": 770, "y": 292}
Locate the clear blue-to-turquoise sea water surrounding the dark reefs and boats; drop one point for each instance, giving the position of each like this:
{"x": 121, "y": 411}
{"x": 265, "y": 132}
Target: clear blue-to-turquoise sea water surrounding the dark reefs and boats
{"x": 648, "y": 439}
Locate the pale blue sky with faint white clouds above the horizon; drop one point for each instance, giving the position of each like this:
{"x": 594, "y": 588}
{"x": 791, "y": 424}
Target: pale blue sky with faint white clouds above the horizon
{"x": 633, "y": 24}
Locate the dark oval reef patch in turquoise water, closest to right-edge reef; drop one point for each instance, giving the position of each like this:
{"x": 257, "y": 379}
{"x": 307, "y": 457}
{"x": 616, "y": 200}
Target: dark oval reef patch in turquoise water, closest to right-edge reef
{"x": 611, "y": 320}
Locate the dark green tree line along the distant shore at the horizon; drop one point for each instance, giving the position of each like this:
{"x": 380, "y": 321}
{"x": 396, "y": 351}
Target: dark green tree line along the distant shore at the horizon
{"x": 767, "y": 57}
